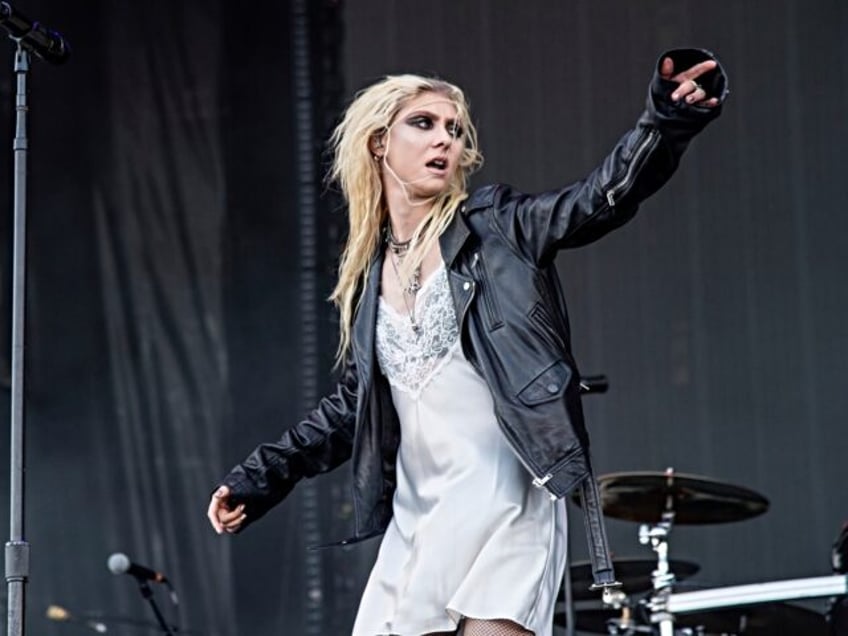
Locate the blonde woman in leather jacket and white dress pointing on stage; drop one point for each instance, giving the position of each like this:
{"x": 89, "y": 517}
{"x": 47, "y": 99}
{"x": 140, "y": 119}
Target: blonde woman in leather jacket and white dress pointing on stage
{"x": 459, "y": 398}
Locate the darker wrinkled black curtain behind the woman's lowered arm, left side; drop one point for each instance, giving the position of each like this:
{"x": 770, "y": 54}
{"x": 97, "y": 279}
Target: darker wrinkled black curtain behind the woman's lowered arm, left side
{"x": 167, "y": 295}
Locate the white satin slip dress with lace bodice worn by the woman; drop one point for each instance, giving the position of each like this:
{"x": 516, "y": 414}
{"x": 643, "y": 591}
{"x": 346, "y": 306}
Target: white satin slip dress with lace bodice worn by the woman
{"x": 470, "y": 535}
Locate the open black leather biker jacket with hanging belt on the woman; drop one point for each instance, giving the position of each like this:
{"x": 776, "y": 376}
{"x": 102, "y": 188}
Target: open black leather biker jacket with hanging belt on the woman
{"x": 499, "y": 252}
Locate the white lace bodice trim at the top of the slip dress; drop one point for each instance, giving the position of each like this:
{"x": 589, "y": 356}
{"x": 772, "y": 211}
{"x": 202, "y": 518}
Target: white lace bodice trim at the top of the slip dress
{"x": 411, "y": 360}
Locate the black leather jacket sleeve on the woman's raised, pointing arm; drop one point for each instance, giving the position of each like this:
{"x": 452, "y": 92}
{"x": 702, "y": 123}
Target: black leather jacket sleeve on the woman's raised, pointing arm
{"x": 641, "y": 162}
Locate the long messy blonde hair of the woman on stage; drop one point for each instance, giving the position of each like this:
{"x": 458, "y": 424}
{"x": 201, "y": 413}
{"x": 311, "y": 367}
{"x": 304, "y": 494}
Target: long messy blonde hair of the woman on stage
{"x": 369, "y": 116}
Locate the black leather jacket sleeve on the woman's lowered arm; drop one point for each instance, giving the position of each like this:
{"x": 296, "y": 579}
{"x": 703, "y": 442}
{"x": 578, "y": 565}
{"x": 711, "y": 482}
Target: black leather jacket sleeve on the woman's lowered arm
{"x": 319, "y": 443}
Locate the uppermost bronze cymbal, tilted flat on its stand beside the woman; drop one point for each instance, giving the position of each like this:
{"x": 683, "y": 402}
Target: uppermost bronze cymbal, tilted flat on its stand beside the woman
{"x": 644, "y": 496}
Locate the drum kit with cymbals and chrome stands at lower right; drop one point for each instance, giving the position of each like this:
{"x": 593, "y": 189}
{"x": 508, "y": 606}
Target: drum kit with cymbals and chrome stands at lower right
{"x": 647, "y": 603}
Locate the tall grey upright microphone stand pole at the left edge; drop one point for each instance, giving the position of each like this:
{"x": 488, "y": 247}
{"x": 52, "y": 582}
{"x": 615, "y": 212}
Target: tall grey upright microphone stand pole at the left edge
{"x": 17, "y": 550}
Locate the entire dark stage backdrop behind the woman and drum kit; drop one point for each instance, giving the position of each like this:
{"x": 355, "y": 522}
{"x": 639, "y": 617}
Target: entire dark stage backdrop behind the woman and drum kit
{"x": 181, "y": 245}
